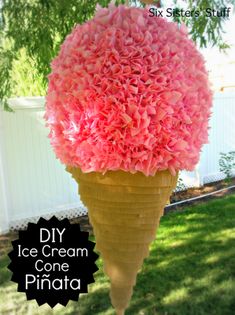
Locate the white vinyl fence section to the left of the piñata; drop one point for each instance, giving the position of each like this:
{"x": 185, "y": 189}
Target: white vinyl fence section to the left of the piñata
{"x": 33, "y": 182}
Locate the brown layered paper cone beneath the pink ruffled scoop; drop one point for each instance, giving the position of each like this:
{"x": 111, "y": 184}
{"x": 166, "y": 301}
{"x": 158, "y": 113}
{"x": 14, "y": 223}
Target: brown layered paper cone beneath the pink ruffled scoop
{"x": 124, "y": 210}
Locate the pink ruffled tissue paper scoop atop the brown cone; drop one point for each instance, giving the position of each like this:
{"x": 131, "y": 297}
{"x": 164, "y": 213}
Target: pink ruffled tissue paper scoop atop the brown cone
{"x": 128, "y": 92}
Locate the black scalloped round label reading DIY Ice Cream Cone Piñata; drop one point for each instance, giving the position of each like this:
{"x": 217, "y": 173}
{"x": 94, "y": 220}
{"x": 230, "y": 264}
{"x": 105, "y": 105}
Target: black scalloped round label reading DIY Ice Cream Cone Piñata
{"x": 53, "y": 261}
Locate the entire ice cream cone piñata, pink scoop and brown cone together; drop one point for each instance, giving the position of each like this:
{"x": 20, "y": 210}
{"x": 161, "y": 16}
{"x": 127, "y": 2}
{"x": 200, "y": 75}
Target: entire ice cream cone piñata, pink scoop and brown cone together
{"x": 128, "y": 105}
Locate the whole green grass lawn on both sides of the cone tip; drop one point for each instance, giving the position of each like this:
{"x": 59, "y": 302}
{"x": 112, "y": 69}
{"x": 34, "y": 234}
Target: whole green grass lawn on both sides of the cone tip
{"x": 190, "y": 270}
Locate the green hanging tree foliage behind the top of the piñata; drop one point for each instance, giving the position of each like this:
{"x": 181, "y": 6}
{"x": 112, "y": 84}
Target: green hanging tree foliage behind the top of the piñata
{"x": 40, "y": 26}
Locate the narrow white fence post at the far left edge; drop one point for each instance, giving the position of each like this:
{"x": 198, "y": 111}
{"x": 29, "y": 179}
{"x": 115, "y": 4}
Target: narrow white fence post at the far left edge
{"x": 4, "y": 220}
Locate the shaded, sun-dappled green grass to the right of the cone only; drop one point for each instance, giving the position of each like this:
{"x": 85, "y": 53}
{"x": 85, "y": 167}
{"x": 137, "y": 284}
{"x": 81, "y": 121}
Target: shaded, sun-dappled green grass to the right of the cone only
{"x": 191, "y": 269}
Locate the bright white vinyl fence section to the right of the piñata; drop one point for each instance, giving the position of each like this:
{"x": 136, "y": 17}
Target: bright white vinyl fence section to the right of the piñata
{"x": 221, "y": 140}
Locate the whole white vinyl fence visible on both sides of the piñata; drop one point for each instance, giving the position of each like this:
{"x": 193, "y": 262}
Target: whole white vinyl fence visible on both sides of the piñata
{"x": 34, "y": 183}
